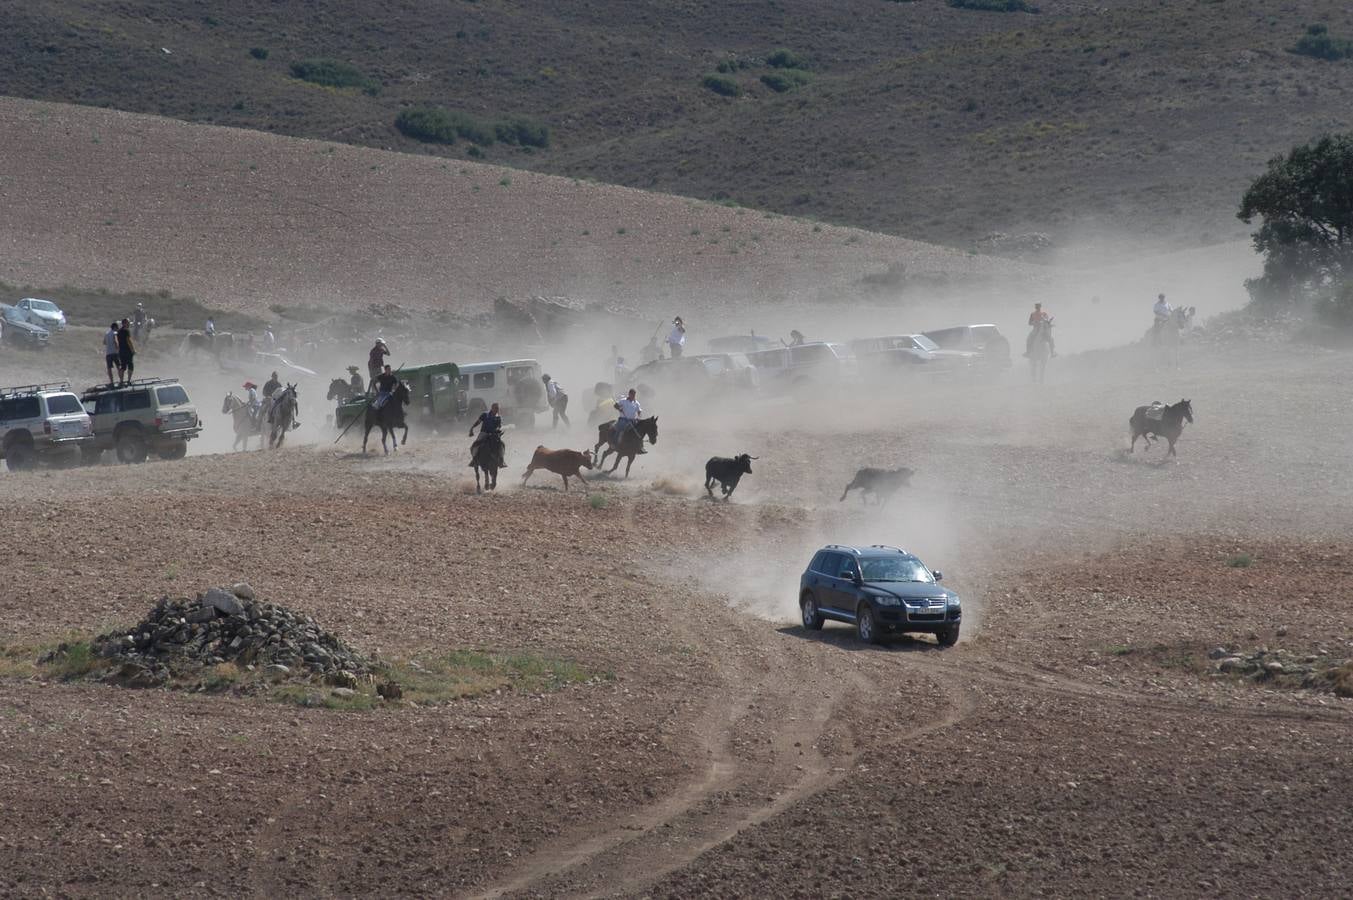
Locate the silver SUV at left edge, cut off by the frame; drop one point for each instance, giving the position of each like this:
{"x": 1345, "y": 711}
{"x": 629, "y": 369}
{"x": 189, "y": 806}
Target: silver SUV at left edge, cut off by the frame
{"x": 43, "y": 422}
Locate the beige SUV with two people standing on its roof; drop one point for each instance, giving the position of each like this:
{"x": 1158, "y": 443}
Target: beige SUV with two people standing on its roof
{"x": 133, "y": 420}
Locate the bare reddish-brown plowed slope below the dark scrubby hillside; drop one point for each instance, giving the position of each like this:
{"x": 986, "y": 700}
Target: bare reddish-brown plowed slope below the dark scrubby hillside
{"x": 246, "y": 221}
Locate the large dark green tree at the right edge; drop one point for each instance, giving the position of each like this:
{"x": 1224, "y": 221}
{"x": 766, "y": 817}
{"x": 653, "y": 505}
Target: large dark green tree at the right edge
{"x": 1305, "y": 202}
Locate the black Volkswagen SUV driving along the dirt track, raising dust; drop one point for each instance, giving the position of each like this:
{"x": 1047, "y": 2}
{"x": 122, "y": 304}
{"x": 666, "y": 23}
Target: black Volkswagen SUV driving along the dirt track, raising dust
{"x": 880, "y": 591}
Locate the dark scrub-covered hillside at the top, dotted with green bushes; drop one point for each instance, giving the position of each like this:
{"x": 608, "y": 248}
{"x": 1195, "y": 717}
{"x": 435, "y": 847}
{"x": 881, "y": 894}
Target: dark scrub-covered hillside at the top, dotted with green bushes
{"x": 919, "y": 118}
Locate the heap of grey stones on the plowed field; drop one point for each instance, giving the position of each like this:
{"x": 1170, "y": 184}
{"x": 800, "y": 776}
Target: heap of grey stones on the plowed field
{"x": 228, "y": 626}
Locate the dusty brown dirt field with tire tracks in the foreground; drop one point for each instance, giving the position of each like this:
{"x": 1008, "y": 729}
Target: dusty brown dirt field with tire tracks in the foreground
{"x": 1075, "y": 742}
